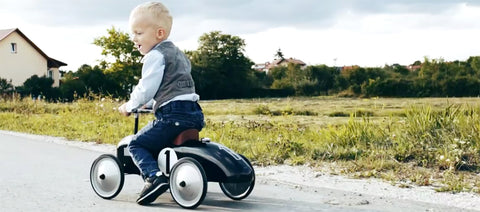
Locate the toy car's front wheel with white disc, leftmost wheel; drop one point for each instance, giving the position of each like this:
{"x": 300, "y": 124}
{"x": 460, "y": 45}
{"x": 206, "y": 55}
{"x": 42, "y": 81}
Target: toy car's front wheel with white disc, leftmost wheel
{"x": 106, "y": 176}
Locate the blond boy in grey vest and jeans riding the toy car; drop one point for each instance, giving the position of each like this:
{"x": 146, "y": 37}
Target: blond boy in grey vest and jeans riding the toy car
{"x": 166, "y": 80}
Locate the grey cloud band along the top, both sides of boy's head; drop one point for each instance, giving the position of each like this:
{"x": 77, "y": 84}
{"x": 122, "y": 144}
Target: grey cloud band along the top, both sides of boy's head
{"x": 260, "y": 13}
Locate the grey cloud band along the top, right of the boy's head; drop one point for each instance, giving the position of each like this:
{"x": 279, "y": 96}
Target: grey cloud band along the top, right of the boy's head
{"x": 299, "y": 13}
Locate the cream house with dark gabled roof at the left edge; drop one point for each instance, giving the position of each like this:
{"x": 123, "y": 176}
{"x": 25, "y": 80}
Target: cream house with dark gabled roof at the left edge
{"x": 20, "y": 59}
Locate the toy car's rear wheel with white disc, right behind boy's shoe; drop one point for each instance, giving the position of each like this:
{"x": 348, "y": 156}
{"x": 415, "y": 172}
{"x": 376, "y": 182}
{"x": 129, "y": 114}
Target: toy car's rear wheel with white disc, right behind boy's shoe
{"x": 188, "y": 183}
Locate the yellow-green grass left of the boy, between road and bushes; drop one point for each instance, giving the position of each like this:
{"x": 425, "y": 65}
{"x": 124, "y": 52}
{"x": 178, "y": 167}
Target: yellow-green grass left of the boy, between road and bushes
{"x": 82, "y": 120}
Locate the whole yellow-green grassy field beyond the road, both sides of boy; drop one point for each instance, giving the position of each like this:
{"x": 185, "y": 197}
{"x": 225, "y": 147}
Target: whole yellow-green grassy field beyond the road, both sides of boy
{"x": 429, "y": 141}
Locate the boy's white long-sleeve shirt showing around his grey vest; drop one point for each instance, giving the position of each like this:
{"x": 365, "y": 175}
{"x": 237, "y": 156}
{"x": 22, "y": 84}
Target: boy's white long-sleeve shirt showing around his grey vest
{"x": 152, "y": 74}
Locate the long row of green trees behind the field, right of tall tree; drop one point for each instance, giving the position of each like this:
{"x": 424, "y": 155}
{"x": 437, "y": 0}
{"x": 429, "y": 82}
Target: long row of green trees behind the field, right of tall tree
{"x": 434, "y": 78}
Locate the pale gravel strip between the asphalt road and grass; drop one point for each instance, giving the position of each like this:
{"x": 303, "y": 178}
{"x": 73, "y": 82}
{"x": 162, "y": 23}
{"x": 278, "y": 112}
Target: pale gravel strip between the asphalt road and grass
{"x": 308, "y": 179}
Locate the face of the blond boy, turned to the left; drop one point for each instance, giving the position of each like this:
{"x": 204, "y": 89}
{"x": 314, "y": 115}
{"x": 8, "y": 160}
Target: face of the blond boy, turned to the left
{"x": 145, "y": 34}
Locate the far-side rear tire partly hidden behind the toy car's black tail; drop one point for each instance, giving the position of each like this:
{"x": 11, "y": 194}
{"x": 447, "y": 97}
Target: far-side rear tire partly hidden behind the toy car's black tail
{"x": 239, "y": 191}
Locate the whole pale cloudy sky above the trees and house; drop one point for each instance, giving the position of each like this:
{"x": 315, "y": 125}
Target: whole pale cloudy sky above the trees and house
{"x": 369, "y": 33}
